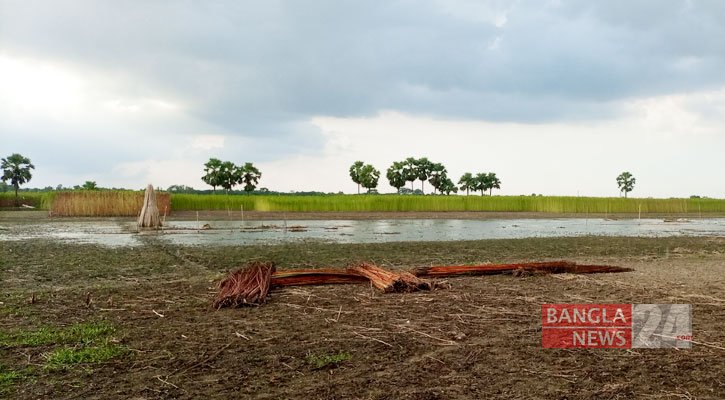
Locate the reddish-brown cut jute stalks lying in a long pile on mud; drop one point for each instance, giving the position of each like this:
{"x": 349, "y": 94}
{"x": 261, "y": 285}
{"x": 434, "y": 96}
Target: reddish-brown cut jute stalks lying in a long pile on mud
{"x": 250, "y": 284}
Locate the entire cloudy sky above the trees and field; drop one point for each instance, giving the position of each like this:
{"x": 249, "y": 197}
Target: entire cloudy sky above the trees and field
{"x": 555, "y": 97}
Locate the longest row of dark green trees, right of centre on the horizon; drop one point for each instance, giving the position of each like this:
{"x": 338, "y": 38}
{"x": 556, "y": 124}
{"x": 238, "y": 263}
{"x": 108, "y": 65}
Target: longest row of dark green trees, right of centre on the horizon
{"x": 412, "y": 169}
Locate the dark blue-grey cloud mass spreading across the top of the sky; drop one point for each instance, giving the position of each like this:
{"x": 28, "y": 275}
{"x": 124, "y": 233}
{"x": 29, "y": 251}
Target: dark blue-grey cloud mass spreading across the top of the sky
{"x": 254, "y": 67}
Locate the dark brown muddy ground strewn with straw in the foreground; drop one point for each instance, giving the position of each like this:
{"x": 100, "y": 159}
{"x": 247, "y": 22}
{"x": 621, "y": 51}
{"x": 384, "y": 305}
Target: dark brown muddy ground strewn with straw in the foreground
{"x": 480, "y": 338}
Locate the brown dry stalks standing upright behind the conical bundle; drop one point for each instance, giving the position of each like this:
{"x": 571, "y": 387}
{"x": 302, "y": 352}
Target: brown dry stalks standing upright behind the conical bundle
{"x": 104, "y": 203}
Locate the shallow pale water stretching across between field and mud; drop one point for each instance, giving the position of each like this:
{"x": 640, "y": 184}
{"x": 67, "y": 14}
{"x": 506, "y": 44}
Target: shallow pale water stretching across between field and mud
{"x": 124, "y": 233}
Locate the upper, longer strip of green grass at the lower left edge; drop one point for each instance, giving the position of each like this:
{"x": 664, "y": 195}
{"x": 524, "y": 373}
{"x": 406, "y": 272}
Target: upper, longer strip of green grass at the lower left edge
{"x": 84, "y": 333}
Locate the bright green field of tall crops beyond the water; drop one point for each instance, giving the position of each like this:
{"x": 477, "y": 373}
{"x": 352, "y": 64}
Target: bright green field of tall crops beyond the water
{"x": 554, "y": 204}
